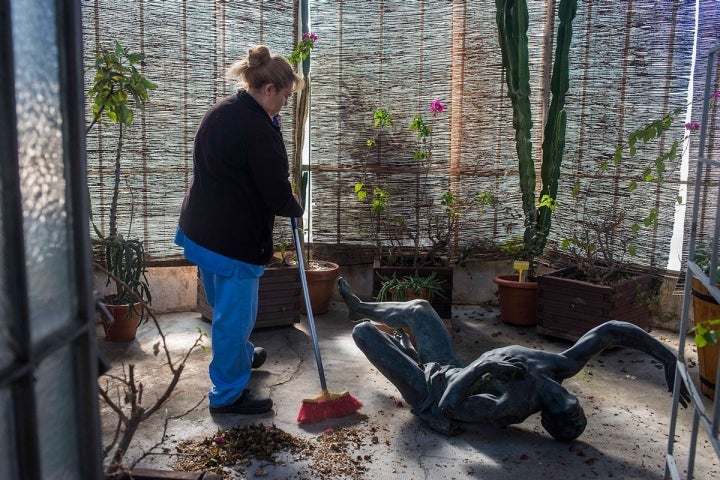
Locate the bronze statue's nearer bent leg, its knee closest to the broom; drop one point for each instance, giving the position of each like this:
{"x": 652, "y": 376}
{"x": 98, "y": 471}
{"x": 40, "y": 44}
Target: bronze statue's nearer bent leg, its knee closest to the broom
{"x": 402, "y": 370}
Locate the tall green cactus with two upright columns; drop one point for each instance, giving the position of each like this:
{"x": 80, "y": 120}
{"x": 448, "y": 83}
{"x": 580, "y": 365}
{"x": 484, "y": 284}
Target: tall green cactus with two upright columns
{"x": 512, "y": 21}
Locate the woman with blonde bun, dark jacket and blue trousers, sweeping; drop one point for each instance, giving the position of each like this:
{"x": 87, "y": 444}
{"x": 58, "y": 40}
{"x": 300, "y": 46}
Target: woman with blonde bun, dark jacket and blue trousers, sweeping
{"x": 240, "y": 183}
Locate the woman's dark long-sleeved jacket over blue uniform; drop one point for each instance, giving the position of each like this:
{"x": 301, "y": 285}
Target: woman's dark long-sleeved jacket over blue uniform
{"x": 240, "y": 181}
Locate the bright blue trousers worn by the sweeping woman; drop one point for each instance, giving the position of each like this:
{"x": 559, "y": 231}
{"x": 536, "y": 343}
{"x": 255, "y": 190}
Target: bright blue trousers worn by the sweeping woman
{"x": 234, "y": 300}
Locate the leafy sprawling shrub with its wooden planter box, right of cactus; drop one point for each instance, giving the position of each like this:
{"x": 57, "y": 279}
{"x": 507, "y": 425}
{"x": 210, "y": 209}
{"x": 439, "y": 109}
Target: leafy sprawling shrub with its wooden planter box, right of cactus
{"x": 601, "y": 283}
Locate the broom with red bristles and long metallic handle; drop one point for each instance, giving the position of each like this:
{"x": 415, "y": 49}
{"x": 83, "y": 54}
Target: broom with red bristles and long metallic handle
{"x": 327, "y": 404}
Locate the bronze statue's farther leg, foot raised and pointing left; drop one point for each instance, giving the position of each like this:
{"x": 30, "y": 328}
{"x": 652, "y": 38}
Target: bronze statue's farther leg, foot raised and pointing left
{"x": 432, "y": 338}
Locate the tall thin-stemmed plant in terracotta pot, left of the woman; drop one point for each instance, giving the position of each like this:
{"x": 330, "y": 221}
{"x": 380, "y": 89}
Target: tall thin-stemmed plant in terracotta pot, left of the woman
{"x": 118, "y": 88}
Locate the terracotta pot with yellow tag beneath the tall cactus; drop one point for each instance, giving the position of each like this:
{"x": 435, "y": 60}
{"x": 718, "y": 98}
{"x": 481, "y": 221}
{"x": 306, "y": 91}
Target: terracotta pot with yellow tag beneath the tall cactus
{"x": 518, "y": 300}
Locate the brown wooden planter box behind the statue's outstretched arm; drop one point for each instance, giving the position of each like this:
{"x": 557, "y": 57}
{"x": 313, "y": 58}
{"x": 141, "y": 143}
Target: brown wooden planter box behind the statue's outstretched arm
{"x": 568, "y": 308}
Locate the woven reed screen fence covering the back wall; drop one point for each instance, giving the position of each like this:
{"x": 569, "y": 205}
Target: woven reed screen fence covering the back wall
{"x": 632, "y": 61}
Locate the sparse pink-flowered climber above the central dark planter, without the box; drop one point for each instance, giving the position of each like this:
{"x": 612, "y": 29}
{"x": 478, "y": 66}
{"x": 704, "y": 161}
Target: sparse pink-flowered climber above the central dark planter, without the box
{"x": 425, "y": 239}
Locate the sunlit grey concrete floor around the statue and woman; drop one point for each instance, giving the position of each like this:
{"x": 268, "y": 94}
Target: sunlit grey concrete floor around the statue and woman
{"x": 623, "y": 394}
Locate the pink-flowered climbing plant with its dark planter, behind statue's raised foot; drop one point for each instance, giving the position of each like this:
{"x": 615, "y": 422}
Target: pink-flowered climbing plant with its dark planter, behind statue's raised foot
{"x": 422, "y": 242}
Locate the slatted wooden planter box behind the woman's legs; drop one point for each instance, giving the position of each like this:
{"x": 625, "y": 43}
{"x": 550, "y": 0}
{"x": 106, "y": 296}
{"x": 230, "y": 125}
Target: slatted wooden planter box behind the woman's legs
{"x": 279, "y": 298}
